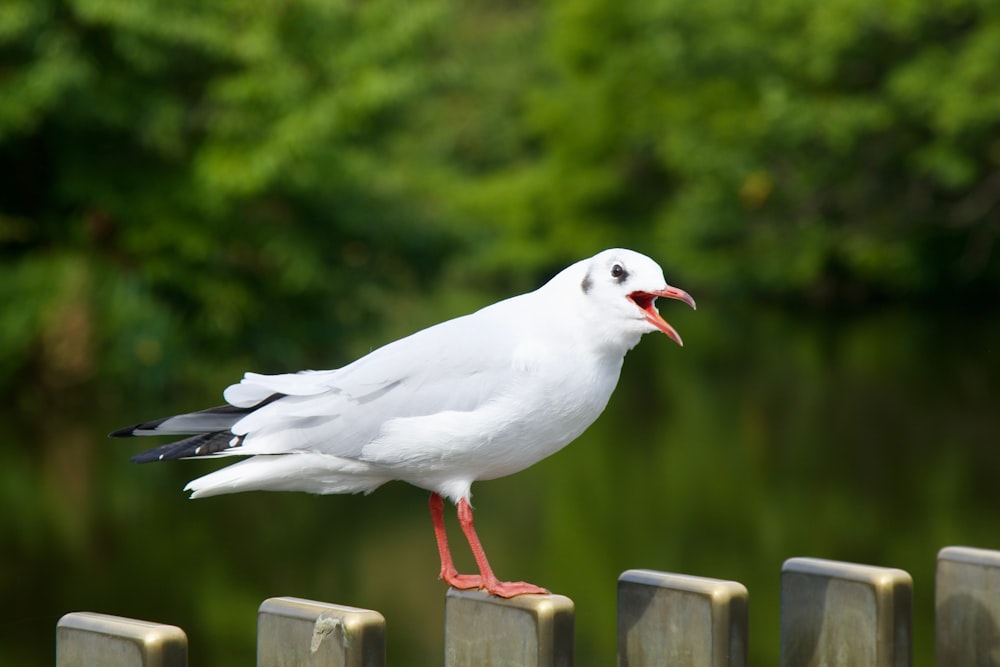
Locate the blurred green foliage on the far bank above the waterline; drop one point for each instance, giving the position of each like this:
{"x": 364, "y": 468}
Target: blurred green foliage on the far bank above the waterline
{"x": 231, "y": 178}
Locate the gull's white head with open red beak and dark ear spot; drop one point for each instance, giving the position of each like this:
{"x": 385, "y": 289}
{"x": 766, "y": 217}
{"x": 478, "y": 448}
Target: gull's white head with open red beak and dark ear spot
{"x": 624, "y": 286}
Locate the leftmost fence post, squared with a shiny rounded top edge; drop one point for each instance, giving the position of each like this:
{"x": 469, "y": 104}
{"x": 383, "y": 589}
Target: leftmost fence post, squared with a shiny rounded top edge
{"x": 85, "y": 638}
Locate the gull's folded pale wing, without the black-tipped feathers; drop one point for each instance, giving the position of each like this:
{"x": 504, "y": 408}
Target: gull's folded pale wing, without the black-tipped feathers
{"x": 458, "y": 365}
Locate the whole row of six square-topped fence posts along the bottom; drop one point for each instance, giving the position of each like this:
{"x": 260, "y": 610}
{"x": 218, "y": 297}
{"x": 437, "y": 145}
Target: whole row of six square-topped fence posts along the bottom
{"x": 832, "y": 613}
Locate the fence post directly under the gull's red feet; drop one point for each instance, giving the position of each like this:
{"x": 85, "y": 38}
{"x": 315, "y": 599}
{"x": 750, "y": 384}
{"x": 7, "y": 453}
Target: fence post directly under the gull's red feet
{"x": 531, "y": 630}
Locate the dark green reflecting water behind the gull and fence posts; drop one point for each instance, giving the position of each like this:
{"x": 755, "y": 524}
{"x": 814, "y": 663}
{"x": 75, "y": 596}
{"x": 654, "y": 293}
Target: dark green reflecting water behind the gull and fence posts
{"x": 868, "y": 438}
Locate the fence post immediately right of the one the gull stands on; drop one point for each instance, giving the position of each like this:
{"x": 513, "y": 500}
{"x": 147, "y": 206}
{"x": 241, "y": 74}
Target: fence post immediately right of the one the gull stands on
{"x": 677, "y": 619}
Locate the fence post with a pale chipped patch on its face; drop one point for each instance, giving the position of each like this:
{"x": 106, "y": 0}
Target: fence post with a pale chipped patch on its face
{"x": 293, "y": 631}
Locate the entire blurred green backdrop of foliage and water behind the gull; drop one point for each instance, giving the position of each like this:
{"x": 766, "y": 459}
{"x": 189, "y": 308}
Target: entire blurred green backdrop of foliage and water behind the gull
{"x": 190, "y": 190}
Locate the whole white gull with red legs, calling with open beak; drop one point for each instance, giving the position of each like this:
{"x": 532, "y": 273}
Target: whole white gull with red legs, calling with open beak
{"x": 473, "y": 398}
